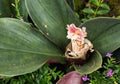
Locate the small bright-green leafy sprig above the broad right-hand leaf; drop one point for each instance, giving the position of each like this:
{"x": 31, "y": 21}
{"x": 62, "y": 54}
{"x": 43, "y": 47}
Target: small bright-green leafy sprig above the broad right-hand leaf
{"x": 96, "y": 8}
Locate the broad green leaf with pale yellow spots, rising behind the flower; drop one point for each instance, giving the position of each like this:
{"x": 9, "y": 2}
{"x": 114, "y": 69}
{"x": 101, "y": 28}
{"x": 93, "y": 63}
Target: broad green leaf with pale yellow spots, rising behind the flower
{"x": 52, "y": 17}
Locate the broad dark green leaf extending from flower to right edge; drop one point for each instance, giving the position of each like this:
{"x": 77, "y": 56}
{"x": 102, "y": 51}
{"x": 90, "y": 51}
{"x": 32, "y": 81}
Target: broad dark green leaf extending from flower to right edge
{"x": 104, "y": 34}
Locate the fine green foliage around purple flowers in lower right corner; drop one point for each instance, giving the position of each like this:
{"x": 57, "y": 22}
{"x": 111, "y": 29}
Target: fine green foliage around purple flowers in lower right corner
{"x": 99, "y": 77}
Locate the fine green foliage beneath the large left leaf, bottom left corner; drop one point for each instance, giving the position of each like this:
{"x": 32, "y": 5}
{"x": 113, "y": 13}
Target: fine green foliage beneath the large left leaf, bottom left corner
{"x": 44, "y": 75}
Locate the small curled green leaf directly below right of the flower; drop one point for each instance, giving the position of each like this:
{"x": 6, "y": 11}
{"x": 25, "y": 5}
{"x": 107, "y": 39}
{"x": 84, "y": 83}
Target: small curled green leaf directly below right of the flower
{"x": 93, "y": 63}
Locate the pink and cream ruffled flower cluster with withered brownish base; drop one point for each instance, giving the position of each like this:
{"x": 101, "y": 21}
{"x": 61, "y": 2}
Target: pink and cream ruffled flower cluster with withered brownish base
{"x": 80, "y": 45}
